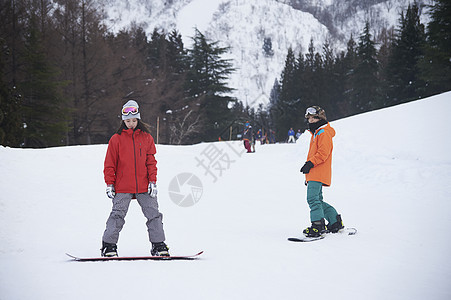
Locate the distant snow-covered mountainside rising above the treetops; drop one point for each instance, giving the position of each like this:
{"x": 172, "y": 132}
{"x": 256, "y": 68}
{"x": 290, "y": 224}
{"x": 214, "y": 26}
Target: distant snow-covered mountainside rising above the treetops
{"x": 244, "y": 25}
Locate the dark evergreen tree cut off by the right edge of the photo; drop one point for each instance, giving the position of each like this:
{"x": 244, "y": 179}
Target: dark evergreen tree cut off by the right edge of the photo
{"x": 436, "y": 65}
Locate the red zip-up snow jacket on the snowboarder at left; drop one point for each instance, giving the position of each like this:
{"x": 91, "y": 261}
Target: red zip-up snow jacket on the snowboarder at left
{"x": 130, "y": 162}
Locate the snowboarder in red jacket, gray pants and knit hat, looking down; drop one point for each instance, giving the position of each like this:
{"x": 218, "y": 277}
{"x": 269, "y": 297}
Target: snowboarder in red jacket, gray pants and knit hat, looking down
{"x": 130, "y": 171}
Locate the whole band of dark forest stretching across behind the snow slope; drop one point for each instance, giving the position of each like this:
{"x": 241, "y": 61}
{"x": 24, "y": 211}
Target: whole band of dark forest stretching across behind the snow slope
{"x": 64, "y": 76}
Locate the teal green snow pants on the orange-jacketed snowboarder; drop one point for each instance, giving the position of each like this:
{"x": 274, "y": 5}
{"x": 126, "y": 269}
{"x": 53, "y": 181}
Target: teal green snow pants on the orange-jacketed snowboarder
{"x": 318, "y": 208}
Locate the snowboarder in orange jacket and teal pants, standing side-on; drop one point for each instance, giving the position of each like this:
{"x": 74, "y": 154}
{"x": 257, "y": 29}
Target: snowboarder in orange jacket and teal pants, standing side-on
{"x": 318, "y": 173}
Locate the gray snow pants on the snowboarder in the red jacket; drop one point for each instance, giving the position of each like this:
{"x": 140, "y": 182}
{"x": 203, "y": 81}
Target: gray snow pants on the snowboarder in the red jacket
{"x": 149, "y": 207}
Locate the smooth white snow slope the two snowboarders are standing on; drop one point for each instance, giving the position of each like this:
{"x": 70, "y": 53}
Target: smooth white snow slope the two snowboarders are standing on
{"x": 391, "y": 180}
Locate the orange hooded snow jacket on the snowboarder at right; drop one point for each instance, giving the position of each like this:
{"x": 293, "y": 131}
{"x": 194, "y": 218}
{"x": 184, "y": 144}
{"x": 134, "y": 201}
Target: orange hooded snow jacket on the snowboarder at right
{"x": 320, "y": 154}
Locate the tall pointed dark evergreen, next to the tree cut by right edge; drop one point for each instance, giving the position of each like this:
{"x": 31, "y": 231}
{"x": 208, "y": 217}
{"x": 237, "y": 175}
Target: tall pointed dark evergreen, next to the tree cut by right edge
{"x": 405, "y": 83}
